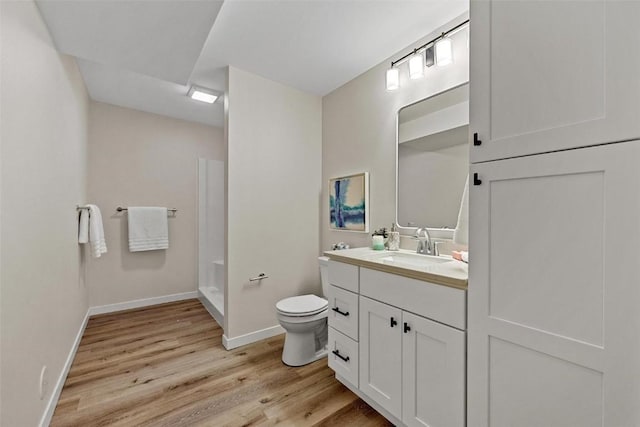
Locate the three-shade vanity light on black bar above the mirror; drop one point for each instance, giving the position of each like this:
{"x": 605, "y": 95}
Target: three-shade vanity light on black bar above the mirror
{"x": 438, "y": 50}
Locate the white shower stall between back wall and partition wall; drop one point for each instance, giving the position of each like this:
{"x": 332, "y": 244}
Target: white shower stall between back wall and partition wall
{"x": 211, "y": 257}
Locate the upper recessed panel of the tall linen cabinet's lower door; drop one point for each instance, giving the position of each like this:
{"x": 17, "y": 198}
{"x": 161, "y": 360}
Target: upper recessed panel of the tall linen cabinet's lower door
{"x": 558, "y": 294}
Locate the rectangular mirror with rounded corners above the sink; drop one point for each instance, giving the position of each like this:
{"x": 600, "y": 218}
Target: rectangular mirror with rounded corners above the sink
{"x": 432, "y": 160}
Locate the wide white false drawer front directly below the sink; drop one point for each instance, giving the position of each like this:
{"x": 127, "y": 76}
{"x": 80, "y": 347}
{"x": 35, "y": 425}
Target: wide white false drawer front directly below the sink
{"x": 441, "y": 303}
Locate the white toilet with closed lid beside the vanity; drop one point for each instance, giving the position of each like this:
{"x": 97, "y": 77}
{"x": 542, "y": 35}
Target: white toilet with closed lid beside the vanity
{"x": 305, "y": 319}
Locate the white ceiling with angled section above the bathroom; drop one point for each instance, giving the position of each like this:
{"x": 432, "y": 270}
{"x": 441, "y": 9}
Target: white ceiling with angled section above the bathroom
{"x": 143, "y": 54}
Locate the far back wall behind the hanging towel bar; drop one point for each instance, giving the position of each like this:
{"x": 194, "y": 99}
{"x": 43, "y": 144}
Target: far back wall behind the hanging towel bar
{"x": 142, "y": 159}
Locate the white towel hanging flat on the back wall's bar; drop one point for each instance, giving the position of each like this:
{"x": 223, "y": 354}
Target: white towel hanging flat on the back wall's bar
{"x": 148, "y": 228}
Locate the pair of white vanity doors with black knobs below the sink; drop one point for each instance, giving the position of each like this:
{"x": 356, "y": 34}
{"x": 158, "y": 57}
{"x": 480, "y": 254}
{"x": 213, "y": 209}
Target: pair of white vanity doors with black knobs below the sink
{"x": 413, "y": 367}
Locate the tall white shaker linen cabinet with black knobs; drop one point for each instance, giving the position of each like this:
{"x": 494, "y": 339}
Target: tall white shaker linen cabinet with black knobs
{"x": 554, "y": 278}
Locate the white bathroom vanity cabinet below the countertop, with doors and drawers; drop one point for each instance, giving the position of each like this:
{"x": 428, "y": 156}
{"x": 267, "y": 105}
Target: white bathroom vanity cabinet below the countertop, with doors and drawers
{"x": 410, "y": 344}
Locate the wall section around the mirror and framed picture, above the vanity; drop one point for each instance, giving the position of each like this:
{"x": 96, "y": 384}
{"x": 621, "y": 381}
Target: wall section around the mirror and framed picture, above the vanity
{"x": 359, "y": 131}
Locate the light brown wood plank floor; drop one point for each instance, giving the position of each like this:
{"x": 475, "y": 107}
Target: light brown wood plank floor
{"x": 165, "y": 366}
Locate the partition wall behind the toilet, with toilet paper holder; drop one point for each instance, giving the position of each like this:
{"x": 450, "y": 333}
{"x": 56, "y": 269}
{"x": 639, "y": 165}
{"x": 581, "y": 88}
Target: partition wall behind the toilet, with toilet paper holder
{"x": 273, "y": 208}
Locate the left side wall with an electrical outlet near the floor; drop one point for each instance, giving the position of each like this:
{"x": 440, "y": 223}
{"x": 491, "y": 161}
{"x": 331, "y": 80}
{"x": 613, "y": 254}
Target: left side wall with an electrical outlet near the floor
{"x": 43, "y": 104}
